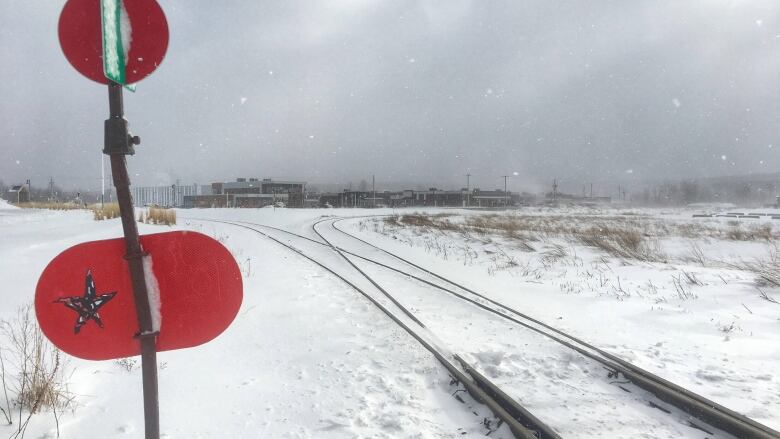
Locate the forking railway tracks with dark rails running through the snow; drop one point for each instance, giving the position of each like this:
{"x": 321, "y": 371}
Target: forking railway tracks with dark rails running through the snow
{"x": 705, "y": 415}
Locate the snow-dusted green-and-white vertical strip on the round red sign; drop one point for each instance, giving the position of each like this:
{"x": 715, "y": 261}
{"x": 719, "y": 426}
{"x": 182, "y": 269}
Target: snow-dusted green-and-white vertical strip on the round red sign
{"x": 113, "y": 49}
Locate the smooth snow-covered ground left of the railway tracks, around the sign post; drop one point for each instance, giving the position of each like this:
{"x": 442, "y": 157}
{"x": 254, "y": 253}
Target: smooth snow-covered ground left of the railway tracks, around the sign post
{"x": 306, "y": 357}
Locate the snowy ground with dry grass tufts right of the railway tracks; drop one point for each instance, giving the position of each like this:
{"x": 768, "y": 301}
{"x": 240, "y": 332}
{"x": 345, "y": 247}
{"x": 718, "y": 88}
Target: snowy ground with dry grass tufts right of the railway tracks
{"x": 704, "y": 326}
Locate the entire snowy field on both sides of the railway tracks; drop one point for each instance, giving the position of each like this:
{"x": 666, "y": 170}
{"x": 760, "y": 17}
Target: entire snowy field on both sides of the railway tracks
{"x": 309, "y": 357}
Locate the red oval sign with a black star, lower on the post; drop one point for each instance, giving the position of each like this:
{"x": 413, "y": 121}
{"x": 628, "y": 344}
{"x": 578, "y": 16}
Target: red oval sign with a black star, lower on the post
{"x": 85, "y": 305}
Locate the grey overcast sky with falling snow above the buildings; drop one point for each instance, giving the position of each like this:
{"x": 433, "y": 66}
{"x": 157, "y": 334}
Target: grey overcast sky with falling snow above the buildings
{"x": 412, "y": 91}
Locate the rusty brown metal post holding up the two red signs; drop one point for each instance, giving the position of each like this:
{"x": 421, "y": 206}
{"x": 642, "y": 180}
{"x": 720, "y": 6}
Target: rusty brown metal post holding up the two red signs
{"x": 118, "y": 144}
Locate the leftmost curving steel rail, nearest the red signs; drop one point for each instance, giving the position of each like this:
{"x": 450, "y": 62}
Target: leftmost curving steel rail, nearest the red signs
{"x": 476, "y": 387}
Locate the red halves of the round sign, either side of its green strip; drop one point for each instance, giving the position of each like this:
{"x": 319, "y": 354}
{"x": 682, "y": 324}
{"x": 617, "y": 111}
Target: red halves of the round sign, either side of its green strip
{"x": 82, "y": 41}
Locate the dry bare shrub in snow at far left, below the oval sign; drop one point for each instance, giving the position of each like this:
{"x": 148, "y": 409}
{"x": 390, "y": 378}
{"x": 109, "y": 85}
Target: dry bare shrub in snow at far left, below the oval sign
{"x": 32, "y": 369}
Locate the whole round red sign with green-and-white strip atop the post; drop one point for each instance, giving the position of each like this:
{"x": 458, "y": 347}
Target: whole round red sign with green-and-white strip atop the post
{"x": 121, "y": 41}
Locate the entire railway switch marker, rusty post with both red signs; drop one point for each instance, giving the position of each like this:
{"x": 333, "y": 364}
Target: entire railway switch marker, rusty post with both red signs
{"x": 119, "y": 43}
